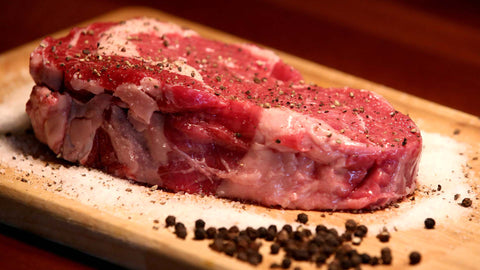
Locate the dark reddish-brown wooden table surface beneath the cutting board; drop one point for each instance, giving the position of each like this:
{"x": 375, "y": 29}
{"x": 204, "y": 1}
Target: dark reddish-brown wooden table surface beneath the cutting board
{"x": 427, "y": 48}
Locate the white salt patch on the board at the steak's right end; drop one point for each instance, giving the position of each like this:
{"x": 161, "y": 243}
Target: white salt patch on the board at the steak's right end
{"x": 440, "y": 164}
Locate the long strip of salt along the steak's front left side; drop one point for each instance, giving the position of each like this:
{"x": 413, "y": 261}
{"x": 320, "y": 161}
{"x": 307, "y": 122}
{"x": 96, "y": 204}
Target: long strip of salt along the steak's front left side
{"x": 124, "y": 198}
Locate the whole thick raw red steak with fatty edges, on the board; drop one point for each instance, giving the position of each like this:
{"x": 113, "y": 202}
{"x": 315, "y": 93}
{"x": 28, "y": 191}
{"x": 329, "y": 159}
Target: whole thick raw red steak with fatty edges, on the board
{"x": 153, "y": 102}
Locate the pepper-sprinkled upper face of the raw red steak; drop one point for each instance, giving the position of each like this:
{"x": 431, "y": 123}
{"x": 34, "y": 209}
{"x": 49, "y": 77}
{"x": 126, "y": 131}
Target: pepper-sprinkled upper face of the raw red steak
{"x": 104, "y": 56}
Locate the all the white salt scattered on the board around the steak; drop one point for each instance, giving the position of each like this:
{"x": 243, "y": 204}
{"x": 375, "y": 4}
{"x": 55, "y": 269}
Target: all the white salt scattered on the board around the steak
{"x": 441, "y": 164}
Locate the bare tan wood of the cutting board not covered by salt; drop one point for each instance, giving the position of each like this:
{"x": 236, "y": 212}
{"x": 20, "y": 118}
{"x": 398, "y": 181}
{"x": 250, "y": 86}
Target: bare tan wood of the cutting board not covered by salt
{"x": 107, "y": 232}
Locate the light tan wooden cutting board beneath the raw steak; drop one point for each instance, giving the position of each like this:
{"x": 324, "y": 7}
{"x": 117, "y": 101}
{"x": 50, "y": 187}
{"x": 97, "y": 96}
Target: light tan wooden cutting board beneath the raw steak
{"x": 123, "y": 222}
